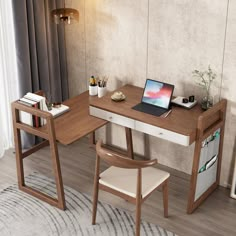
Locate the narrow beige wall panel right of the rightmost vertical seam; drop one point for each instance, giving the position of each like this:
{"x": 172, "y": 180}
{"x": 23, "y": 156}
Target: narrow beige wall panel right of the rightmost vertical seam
{"x": 229, "y": 91}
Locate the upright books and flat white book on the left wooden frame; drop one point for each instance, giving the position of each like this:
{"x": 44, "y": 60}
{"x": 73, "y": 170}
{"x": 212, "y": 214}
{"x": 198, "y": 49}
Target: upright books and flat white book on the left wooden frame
{"x": 39, "y": 102}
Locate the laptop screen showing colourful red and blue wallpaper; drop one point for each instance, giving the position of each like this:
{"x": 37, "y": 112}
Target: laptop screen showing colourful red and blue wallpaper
{"x": 157, "y": 93}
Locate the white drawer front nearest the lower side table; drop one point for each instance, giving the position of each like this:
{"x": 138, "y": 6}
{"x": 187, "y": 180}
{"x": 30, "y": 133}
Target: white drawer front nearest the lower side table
{"x": 112, "y": 117}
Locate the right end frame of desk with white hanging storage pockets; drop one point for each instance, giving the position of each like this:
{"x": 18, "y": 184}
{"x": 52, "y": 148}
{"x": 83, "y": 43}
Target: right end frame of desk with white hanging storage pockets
{"x": 209, "y": 145}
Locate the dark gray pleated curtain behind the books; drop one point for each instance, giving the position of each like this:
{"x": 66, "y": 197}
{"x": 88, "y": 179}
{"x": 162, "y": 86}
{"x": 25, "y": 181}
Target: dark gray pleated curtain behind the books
{"x": 40, "y": 45}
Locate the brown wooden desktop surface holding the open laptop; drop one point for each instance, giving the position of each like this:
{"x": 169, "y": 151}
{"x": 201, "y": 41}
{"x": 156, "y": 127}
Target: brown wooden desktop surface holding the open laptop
{"x": 180, "y": 120}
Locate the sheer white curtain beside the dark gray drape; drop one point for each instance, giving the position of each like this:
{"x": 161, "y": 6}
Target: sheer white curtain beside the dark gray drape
{"x": 9, "y": 90}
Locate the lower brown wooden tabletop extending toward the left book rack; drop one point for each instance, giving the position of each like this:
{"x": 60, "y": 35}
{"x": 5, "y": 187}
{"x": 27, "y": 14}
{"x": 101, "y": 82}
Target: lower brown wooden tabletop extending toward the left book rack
{"x": 76, "y": 123}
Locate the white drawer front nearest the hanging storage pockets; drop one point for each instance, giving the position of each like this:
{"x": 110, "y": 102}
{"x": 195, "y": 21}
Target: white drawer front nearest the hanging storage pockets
{"x": 162, "y": 133}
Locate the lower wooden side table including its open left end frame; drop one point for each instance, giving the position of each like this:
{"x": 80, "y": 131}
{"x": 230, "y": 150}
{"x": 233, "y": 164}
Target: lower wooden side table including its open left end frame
{"x": 67, "y": 128}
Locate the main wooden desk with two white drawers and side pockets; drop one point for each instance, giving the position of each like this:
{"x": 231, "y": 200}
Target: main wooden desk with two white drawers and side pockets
{"x": 181, "y": 126}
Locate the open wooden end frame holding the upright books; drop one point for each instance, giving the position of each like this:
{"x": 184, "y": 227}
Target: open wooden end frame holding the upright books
{"x": 49, "y": 138}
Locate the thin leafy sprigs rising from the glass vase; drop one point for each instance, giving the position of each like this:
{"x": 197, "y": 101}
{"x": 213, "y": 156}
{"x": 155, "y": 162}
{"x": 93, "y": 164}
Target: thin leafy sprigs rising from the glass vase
{"x": 204, "y": 79}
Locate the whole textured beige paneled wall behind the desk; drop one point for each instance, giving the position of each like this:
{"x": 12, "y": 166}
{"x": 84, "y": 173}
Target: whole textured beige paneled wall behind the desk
{"x": 159, "y": 39}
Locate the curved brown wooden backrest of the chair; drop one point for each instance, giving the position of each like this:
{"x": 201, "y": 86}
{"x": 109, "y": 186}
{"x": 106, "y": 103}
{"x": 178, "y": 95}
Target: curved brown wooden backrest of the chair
{"x": 115, "y": 159}
